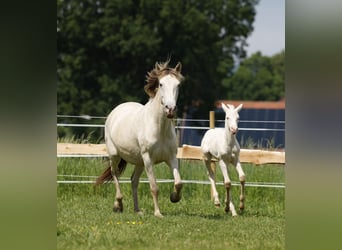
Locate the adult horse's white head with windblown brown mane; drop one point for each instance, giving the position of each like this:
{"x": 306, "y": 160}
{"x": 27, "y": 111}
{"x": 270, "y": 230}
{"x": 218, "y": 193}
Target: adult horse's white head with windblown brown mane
{"x": 166, "y": 80}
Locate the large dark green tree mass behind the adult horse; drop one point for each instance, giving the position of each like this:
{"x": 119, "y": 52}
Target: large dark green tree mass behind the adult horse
{"x": 106, "y": 47}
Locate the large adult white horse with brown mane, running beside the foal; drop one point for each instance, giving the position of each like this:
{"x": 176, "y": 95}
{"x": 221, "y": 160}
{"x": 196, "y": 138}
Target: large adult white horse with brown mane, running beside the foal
{"x": 144, "y": 135}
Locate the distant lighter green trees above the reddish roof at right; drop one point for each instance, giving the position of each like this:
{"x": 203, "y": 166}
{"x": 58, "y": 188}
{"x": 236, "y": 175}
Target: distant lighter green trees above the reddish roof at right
{"x": 258, "y": 78}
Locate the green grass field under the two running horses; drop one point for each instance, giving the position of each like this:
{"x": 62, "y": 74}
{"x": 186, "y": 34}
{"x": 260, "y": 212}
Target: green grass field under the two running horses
{"x": 85, "y": 219}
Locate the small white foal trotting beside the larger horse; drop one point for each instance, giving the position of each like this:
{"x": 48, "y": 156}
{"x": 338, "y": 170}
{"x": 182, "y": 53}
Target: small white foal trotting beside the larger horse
{"x": 221, "y": 144}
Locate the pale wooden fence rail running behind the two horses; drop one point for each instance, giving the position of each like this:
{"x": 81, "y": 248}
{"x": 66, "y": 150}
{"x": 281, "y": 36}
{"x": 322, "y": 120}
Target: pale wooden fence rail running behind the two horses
{"x": 185, "y": 152}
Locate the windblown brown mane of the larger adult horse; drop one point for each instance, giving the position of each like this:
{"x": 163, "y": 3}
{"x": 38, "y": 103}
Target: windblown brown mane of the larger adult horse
{"x": 160, "y": 70}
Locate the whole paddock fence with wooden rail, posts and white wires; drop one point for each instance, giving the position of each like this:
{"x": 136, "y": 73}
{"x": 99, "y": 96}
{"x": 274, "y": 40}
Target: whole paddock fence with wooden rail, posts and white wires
{"x": 185, "y": 152}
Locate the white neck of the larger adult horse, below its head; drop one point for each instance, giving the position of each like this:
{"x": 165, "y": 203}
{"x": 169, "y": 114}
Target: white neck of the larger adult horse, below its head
{"x": 156, "y": 114}
